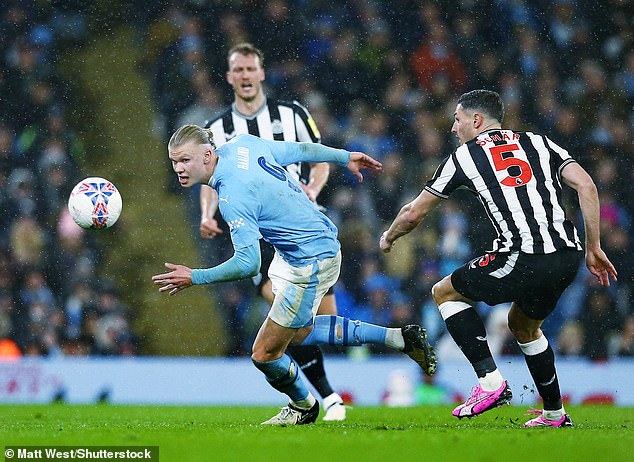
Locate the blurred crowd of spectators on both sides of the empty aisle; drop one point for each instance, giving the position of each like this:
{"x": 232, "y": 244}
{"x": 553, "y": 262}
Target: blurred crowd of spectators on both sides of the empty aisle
{"x": 380, "y": 77}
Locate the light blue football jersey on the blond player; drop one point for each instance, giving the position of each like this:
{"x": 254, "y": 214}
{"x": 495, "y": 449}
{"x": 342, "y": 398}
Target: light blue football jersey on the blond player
{"x": 259, "y": 199}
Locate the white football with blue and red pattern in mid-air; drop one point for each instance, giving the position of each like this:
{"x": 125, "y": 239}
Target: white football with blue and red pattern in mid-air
{"x": 95, "y": 203}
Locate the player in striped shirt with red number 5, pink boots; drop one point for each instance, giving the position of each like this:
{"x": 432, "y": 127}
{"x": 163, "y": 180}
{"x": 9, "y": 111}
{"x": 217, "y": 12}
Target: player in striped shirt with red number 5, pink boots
{"x": 518, "y": 177}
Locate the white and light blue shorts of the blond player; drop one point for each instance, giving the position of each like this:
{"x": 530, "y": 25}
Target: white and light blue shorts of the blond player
{"x": 299, "y": 289}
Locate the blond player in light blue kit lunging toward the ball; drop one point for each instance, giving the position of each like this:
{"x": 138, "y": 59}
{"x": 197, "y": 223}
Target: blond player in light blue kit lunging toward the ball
{"x": 260, "y": 200}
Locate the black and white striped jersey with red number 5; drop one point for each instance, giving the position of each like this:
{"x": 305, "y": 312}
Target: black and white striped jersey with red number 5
{"x": 517, "y": 177}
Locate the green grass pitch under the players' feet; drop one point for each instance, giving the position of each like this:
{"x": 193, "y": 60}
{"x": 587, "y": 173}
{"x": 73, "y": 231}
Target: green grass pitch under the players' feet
{"x": 370, "y": 433}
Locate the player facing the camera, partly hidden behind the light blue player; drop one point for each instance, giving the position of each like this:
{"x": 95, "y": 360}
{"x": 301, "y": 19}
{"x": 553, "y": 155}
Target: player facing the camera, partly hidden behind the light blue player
{"x": 252, "y": 113}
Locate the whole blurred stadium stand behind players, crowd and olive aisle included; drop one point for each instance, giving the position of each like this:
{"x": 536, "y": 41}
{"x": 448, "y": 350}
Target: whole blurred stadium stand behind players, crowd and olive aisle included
{"x": 96, "y": 90}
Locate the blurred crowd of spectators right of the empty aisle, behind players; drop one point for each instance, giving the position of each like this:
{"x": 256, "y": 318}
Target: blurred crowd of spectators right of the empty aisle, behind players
{"x": 383, "y": 78}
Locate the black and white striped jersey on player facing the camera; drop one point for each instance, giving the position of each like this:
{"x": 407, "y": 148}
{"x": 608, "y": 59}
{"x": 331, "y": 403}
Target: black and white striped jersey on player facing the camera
{"x": 276, "y": 120}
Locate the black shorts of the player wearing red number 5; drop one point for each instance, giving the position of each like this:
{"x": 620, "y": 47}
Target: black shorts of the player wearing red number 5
{"x": 534, "y": 281}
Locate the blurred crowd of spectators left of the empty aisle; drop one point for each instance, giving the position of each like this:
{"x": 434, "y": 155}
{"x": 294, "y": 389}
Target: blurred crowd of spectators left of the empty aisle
{"x": 53, "y": 300}
